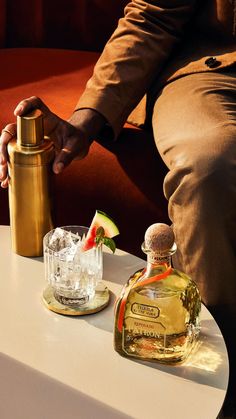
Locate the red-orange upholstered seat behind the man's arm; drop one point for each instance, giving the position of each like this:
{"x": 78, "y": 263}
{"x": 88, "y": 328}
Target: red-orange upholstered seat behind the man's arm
{"x": 48, "y": 49}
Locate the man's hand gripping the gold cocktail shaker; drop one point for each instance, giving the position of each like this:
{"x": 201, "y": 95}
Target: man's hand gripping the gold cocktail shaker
{"x": 72, "y": 138}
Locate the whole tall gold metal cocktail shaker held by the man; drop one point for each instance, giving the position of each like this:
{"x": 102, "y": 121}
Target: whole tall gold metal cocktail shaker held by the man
{"x": 30, "y": 158}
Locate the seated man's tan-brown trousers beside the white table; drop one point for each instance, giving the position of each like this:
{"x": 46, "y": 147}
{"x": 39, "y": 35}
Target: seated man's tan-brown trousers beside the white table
{"x": 194, "y": 124}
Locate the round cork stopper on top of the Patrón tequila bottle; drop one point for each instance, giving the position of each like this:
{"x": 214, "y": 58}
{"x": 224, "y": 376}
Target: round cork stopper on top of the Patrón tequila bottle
{"x": 159, "y": 237}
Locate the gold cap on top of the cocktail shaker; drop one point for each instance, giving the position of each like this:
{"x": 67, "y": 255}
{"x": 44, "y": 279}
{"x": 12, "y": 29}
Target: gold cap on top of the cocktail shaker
{"x": 30, "y": 128}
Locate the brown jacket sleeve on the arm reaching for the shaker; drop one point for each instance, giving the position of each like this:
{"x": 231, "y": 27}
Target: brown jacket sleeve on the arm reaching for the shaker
{"x": 134, "y": 55}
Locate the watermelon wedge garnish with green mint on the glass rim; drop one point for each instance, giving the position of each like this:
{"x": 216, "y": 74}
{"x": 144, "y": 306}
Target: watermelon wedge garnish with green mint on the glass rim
{"x": 101, "y": 231}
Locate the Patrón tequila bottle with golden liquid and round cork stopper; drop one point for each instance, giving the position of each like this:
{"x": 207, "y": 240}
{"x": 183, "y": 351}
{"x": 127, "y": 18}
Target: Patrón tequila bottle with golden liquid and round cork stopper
{"x": 157, "y": 313}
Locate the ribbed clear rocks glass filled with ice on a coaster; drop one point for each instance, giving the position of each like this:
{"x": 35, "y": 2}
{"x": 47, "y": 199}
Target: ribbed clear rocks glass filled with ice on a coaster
{"x": 72, "y": 273}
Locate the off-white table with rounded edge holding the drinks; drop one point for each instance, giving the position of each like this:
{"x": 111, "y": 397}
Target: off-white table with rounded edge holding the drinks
{"x": 58, "y": 367}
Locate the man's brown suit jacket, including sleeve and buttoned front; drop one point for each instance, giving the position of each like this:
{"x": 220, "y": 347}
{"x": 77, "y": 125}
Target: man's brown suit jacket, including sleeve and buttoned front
{"x": 156, "y": 42}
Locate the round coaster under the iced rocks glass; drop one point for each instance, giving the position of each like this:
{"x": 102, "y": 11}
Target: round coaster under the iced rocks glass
{"x": 98, "y": 303}
